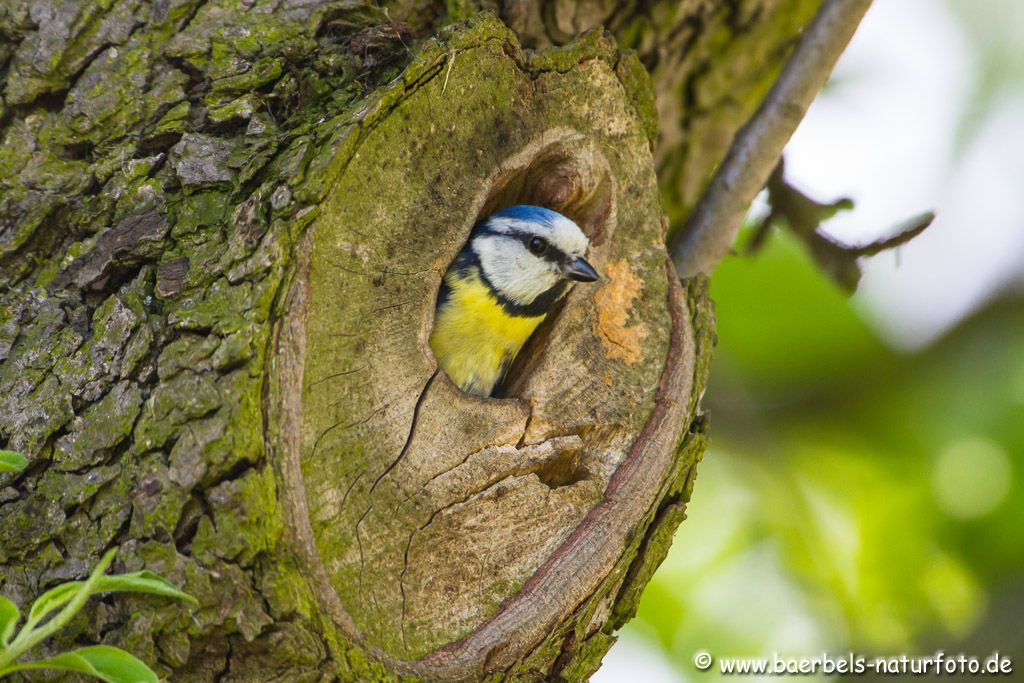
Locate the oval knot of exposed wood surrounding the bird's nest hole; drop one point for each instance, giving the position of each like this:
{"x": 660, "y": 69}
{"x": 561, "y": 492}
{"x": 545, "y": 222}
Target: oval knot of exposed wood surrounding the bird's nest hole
{"x": 450, "y": 533}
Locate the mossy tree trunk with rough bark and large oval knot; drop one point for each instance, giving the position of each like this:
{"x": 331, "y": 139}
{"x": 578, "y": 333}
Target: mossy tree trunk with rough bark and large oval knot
{"x": 223, "y": 231}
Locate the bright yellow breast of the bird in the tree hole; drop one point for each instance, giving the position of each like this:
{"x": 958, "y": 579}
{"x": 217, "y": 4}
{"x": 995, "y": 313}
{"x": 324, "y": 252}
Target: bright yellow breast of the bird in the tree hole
{"x": 475, "y": 339}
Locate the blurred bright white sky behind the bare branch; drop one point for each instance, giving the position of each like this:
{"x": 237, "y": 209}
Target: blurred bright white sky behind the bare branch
{"x": 888, "y": 134}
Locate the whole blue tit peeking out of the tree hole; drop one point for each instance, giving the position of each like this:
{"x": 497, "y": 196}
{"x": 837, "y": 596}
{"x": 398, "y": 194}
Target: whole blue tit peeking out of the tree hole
{"x": 518, "y": 264}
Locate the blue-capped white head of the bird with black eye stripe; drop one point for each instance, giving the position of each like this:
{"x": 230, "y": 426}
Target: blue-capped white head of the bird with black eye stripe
{"x": 527, "y": 251}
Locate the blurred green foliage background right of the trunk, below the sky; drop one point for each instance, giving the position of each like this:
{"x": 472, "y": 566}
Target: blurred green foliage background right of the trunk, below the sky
{"x": 855, "y": 498}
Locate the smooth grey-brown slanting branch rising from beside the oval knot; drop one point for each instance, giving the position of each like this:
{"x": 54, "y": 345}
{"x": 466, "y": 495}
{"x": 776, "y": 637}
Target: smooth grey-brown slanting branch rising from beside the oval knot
{"x": 712, "y": 228}
